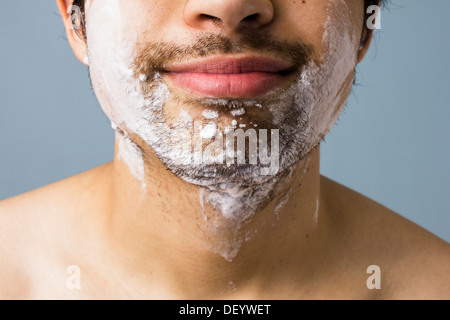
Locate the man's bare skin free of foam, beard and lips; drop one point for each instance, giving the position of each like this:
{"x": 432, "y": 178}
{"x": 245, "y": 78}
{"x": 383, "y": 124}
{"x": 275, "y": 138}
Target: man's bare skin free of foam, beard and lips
{"x": 151, "y": 245}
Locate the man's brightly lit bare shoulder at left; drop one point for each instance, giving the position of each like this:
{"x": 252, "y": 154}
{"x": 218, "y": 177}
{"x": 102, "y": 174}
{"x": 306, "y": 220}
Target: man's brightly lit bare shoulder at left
{"x": 35, "y": 227}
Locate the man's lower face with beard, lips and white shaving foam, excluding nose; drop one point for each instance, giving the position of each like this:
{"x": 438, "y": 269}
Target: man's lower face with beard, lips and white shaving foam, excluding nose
{"x": 144, "y": 73}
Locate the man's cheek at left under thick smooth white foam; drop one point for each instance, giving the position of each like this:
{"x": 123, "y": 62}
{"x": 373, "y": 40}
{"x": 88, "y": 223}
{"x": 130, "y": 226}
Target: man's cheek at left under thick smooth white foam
{"x": 110, "y": 49}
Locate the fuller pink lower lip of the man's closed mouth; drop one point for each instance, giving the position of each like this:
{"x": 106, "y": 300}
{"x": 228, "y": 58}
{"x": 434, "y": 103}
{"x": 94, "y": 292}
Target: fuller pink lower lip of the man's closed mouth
{"x": 239, "y": 85}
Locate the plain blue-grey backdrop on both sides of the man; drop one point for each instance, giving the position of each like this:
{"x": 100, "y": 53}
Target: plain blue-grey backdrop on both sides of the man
{"x": 392, "y": 142}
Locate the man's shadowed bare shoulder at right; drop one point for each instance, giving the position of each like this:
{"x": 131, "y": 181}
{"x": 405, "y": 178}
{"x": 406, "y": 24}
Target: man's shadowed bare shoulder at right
{"x": 415, "y": 264}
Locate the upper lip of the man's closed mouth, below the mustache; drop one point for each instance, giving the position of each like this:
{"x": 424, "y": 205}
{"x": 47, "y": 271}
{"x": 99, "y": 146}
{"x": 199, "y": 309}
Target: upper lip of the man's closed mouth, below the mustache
{"x": 229, "y": 65}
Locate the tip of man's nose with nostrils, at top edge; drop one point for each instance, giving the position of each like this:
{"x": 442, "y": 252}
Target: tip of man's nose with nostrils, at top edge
{"x": 228, "y": 15}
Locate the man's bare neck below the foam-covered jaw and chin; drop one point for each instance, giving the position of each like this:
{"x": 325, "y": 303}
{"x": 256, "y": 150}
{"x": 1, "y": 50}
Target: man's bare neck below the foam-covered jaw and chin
{"x": 164, "y": 229}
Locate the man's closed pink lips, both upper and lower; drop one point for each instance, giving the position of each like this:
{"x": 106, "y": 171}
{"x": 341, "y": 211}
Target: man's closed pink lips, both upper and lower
{"x": 224, "y": 77}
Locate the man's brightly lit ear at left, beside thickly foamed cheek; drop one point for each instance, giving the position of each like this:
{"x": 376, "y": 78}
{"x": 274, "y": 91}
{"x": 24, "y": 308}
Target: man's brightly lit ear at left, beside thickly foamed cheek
{"x": 73, "y": 18}
